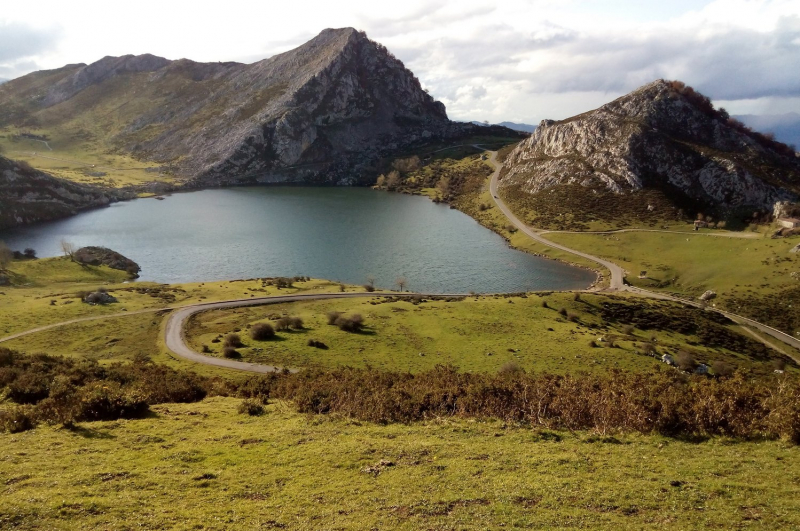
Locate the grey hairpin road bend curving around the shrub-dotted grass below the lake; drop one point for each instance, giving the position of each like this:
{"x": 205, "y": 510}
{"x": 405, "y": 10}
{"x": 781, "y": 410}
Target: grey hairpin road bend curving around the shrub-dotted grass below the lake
{"x": 175, "y": 339}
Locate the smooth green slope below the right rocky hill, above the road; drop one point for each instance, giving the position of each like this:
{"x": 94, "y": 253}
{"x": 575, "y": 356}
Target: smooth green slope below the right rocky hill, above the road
{"x": 758, "y": 278}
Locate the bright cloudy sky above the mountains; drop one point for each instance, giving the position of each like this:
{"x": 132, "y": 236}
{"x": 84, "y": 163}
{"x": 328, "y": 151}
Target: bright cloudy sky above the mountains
{"x": 515, "y": 60}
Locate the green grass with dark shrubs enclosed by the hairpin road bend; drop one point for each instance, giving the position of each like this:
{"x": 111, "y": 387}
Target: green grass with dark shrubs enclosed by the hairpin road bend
{"x": 476, "y": 334}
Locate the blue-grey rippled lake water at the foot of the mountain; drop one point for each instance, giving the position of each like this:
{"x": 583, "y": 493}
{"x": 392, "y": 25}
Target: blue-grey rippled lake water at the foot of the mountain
{"x": 344, "y": 234}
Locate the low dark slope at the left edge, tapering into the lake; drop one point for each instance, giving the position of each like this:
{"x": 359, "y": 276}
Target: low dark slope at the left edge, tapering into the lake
{"x": 28, "y": 195}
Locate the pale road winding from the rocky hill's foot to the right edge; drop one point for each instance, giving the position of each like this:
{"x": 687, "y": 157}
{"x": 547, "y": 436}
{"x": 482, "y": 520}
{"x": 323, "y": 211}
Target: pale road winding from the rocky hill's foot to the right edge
{"x": 617, "y": 282}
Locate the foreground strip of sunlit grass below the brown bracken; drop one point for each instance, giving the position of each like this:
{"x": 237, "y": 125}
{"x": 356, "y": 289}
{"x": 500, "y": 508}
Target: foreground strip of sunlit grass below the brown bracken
{"x": 192, "y": 466}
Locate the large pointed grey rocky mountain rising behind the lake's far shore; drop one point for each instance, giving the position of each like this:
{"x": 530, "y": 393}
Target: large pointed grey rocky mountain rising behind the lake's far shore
{"x": 324, "y": 112}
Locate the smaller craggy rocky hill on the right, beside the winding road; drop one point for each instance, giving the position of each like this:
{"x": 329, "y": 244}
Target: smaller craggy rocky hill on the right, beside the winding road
{"x": 662, "y": 136}
